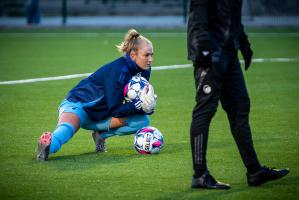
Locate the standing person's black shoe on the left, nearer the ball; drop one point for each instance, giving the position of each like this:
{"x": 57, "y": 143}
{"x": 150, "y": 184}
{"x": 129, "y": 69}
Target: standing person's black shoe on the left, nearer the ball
{"x": 207, "y": 181}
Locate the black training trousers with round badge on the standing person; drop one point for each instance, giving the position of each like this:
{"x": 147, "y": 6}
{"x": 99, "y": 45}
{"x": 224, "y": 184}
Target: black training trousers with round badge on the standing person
{"x": 224, "y": 82}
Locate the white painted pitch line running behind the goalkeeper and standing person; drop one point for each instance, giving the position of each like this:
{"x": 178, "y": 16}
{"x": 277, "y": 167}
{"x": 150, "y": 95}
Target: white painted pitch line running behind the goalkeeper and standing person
{"x": 157, "y": 68}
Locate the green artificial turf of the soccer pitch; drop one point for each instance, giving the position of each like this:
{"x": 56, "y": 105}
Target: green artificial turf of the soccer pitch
{"x": 76, "y": 172}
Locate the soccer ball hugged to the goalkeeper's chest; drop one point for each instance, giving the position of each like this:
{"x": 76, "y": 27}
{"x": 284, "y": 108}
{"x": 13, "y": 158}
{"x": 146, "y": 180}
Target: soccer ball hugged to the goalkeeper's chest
{"x": 134, "y": 88}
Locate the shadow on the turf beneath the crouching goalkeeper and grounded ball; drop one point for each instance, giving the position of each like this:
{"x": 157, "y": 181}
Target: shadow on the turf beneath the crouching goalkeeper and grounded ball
{"x": 115, "y": 155}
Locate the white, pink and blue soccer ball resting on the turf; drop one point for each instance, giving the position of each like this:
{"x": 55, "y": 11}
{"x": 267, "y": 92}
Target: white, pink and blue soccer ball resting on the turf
{"x": 148, "y": 140}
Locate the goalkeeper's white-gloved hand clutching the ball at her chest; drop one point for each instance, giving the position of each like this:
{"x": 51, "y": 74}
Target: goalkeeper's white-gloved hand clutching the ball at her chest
{"x": 149, "y": 100}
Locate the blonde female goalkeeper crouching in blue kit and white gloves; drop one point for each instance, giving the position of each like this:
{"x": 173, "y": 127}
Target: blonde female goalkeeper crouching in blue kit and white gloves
{"x": 96, "y": 103}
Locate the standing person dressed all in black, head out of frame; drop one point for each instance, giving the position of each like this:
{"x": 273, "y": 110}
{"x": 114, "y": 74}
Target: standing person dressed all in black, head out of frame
{"x": 215, "y": 34}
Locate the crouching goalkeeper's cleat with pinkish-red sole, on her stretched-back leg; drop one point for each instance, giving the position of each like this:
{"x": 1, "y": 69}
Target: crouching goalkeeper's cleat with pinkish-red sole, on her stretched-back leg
{"x": 43, "y": 146}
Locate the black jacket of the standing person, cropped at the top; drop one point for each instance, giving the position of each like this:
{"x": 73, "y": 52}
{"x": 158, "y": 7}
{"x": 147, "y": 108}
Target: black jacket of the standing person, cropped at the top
{"x": 213, "y": 24}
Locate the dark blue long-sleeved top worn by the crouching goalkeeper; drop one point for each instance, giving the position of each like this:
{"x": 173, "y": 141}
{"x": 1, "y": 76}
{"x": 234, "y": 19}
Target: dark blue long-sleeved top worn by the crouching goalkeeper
{"x": 101, "y": 94}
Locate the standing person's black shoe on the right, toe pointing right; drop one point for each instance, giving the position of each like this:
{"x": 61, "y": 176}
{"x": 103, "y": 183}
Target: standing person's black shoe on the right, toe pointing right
{"x": 264, "y": 175}
